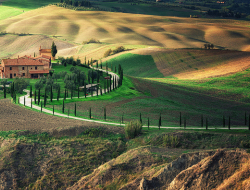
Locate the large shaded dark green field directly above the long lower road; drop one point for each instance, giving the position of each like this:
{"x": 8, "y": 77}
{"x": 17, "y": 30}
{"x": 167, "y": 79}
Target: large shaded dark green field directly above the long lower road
{"x": 168, "y": 100}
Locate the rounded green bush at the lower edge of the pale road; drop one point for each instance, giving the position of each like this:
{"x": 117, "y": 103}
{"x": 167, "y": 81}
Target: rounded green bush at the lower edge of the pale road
{"x": 133, "y": 129}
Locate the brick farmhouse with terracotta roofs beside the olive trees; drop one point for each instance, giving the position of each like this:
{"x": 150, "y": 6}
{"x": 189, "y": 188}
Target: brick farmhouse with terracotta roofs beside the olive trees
{"x": 26, "y": 66}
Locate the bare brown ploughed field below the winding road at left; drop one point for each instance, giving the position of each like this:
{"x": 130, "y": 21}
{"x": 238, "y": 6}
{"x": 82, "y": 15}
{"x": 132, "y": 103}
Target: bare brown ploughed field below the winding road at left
{"x": 14, "y": 117}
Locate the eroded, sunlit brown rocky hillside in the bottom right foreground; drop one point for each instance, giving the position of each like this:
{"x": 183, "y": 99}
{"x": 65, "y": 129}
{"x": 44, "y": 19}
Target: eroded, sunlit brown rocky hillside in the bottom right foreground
{"x": 221, "y": 169}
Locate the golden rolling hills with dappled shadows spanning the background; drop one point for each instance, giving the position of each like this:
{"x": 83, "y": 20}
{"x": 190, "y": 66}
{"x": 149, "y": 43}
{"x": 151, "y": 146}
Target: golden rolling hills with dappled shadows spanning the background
{"x": 134, "y": 29}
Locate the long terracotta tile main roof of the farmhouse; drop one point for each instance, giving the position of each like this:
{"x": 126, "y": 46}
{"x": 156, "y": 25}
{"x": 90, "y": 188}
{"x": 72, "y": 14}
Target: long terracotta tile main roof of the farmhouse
{"x": 20, "y": 62}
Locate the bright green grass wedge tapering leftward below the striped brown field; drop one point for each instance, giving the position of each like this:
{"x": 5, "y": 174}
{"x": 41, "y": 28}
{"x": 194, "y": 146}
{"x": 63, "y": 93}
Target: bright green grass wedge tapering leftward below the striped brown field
{"x": 234, "y": 87}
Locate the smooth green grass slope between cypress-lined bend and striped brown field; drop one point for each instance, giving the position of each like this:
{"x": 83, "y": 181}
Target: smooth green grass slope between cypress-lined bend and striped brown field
{"x": 135, "y": 65}
